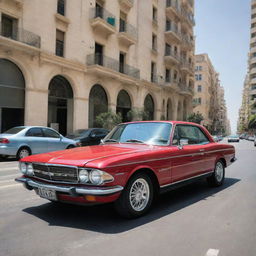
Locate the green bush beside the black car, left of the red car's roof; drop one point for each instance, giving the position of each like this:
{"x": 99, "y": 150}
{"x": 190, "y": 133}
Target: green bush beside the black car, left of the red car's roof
{"x": 108, "y": 120}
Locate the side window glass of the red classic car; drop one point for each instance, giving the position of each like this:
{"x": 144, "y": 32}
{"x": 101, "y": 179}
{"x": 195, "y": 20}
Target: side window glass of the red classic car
{"x": 191, "y": 133}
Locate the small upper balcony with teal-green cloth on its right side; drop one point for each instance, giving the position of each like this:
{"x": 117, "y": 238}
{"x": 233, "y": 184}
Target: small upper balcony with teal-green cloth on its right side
{"x": 102, "y": 21}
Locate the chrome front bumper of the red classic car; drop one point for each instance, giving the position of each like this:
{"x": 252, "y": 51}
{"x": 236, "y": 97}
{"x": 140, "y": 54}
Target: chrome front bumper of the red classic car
{"x": 73, "y": 191}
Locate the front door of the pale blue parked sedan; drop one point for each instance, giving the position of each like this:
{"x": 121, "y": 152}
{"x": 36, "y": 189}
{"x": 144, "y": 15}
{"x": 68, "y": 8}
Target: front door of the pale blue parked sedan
{"x": 54, "y": 140}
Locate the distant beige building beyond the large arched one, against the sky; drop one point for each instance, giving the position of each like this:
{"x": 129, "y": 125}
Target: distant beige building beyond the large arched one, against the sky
{"x": 209, "y": 96}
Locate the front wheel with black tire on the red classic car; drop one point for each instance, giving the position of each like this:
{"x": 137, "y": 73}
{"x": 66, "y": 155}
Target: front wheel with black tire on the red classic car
{"x": 125, "y": 207}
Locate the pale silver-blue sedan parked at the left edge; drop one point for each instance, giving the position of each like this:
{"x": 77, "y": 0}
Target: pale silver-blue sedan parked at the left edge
{"x": 22, "y": 141}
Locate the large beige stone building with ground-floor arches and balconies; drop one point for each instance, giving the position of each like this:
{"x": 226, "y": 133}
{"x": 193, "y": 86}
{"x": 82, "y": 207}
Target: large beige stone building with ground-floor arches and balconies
{"x": 64, "y": 62}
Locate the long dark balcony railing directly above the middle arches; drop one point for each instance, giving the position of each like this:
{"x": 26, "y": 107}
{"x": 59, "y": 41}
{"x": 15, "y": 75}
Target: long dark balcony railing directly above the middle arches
{"x": 99, "y": 59}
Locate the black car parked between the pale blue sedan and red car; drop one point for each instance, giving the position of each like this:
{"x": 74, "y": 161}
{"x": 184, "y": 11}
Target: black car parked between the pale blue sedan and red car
{"x": 88, "y": 137}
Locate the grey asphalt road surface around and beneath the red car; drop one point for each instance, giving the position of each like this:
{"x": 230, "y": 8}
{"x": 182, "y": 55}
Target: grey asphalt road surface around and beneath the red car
{"x": 192, "y": 221}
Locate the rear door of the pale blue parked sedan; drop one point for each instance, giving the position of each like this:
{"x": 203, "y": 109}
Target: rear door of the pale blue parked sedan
{"x": 36, "y": 140}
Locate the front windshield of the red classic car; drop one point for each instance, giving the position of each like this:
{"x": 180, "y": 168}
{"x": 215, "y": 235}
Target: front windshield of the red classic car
{"x": 149, "y": 133}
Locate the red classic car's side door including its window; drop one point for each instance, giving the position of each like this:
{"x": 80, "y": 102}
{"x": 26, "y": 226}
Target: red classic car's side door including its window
{"x": 190, "y": 159}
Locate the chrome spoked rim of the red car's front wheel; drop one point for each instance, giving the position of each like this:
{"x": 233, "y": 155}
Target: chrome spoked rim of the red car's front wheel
{"x": 139, "y": 195}
